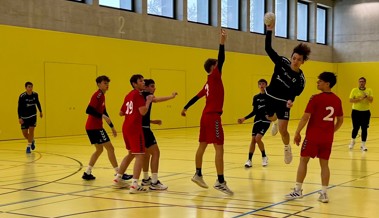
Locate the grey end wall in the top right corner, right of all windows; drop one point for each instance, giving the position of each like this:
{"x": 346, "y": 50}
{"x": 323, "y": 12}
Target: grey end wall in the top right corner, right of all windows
{"x": 356, "y": 31}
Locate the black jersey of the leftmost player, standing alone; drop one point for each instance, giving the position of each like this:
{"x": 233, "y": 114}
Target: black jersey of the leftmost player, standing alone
{"x": 27, "y": 105}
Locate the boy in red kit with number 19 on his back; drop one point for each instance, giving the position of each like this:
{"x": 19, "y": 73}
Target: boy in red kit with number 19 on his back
{"x": 133, "y": 108}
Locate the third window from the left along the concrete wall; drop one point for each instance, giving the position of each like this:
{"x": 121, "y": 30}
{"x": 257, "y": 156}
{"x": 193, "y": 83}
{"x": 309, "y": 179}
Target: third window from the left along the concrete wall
{"x": 198, "y": 11}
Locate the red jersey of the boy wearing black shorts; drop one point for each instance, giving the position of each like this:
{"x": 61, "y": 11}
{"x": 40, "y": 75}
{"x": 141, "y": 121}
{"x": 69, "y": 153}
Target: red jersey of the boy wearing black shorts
{"x": 97, "y": 102}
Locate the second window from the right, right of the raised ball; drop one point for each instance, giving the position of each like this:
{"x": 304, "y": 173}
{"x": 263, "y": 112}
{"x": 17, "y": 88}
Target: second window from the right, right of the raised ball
{"x": 302, "y": 21}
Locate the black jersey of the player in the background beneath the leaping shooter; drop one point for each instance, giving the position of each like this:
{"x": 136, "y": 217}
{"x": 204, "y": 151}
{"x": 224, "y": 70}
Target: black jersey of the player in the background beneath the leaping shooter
{"x": 259, "y": 108}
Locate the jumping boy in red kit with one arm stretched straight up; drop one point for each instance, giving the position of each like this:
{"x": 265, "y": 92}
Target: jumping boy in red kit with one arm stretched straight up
{"x": 210, "y": 125}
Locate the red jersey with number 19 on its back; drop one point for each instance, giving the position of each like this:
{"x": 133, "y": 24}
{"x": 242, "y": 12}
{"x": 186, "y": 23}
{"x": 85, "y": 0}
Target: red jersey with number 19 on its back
{"x": 132, "y": 102}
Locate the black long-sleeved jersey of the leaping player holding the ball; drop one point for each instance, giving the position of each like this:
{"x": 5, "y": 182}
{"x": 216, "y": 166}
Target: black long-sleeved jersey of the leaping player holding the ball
{"x": 285, "y": 83}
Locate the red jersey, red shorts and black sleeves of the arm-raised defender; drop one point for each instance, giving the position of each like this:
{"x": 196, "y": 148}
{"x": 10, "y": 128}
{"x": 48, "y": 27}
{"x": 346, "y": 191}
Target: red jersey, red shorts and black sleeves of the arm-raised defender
{"x": 211, "y": 130}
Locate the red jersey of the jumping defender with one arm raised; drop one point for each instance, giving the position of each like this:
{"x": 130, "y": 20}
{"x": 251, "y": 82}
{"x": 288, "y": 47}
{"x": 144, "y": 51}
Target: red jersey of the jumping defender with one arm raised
{"x": 213, "y": 90}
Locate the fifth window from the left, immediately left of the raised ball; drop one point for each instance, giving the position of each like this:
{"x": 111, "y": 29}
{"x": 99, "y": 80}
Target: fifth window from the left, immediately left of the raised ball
{"x": 257, "y": 10}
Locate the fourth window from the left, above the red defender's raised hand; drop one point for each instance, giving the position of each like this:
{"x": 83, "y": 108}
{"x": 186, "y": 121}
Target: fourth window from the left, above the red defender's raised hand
{"x": 230, "y": 14}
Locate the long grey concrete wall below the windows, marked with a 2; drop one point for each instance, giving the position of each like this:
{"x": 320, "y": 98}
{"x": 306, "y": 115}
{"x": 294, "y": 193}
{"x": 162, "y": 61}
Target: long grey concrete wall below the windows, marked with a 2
{"x": 91, "y": 19}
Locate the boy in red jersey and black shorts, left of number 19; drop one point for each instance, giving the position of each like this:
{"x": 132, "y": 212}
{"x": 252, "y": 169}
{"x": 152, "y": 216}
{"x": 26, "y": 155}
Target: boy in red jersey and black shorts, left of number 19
{"x": 97, "y": 135}
